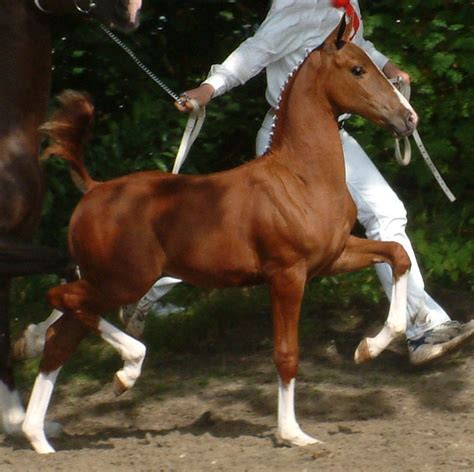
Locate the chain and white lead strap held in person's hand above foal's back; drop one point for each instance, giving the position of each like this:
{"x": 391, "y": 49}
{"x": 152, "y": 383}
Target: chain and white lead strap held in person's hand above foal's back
{"x": 196, "y": 117}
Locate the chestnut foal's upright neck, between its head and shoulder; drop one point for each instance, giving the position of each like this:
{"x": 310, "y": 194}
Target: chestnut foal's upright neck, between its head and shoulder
{"x": 307, "y": 134}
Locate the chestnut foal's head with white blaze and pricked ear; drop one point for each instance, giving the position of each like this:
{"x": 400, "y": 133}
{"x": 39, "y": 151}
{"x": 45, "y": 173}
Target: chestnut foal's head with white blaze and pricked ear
{"x": 354, "y": 84}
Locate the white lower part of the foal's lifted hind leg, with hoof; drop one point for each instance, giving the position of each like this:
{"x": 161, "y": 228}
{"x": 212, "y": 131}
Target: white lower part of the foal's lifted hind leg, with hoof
{"x": 132, "y": 352}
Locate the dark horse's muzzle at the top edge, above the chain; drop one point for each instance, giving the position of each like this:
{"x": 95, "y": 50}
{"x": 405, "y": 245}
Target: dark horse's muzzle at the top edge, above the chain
{"x": 121, "y": 14}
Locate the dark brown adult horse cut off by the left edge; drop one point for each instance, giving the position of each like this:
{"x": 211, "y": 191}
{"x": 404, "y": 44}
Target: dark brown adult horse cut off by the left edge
{"x": 25, "y": 58}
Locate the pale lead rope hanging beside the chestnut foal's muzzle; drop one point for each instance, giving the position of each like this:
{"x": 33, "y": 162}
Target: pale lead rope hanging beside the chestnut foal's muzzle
{"x": 405, "y": 157}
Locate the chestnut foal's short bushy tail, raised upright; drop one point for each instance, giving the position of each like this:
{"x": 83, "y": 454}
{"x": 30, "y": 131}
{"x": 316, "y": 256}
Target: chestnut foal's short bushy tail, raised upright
{"x": 69, "y": 130}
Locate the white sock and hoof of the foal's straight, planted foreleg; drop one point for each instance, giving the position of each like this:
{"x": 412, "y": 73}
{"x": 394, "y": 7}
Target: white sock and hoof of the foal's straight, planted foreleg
{"x": 288, "y": 428}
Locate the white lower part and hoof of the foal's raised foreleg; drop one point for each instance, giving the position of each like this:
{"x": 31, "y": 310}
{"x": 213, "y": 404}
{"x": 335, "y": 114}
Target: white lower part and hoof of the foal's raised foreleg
{"x": 394, "y": 327}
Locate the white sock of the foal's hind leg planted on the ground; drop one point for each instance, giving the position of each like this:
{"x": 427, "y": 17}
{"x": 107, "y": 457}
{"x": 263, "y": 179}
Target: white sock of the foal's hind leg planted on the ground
{"x": 33, "y": 426}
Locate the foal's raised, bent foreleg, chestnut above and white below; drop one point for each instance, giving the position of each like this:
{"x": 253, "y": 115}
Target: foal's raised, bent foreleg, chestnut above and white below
{"x": 360, "y": 253}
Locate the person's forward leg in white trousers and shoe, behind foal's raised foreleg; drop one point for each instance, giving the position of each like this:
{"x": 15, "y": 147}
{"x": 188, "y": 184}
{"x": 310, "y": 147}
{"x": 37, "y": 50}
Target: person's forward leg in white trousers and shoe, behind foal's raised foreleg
{"x": 384, "y": 217}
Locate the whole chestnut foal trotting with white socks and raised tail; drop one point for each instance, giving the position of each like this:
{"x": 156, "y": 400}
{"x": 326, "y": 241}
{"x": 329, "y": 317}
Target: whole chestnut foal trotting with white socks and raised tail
{"x": 280, "y": 219}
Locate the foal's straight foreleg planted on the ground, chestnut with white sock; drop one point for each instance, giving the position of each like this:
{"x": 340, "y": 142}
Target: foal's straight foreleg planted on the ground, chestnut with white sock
{"x": 286, "y": 290}
